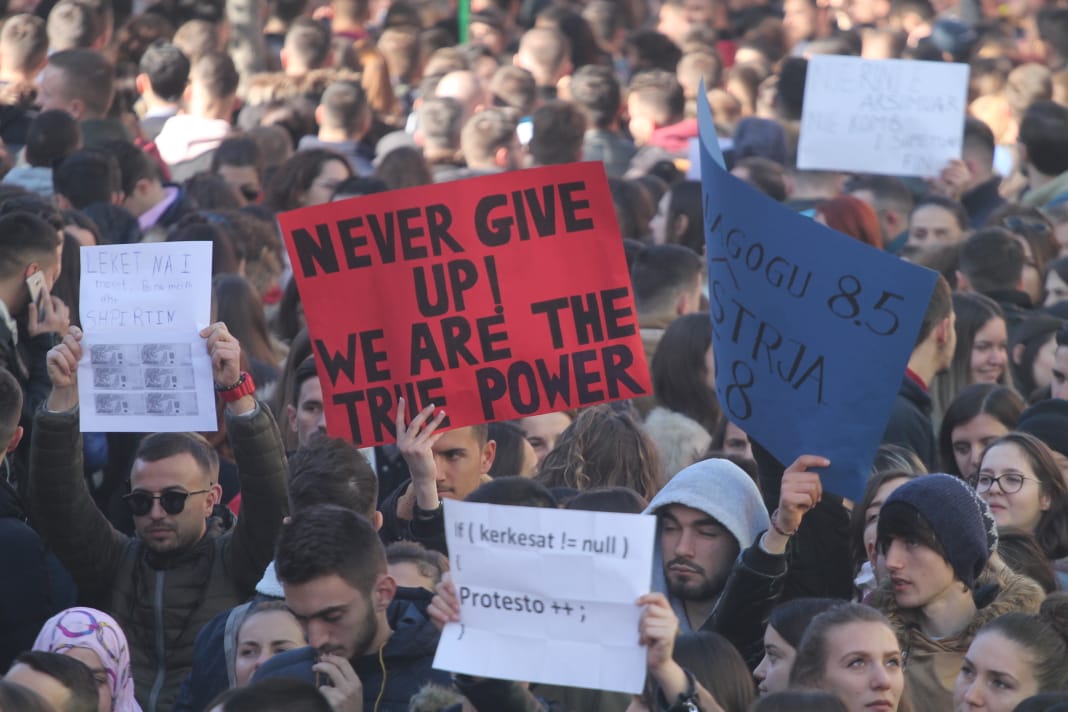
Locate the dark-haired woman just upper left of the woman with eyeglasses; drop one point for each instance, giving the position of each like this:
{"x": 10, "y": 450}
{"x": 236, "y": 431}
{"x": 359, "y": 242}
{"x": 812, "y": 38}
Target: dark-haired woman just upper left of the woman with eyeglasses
{"x": 979, "y": 416}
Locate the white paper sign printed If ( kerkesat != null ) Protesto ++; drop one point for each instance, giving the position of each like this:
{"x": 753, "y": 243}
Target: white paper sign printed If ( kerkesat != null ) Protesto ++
{"x": 548, "y": 595}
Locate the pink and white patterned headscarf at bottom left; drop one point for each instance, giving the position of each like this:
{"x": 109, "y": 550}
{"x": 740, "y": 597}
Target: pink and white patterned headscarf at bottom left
{"x": 95, "y": 630}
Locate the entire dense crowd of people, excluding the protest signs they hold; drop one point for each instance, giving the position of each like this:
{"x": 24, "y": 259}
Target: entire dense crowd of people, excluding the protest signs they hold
{"x": 268, "y": 566}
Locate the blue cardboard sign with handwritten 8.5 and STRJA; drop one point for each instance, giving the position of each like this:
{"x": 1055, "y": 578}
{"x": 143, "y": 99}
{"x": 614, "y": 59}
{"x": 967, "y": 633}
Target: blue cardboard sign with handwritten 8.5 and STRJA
{"x": 812, "y": 329}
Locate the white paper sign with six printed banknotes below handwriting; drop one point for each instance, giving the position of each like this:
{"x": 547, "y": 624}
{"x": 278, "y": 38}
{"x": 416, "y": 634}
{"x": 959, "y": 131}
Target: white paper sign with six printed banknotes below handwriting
{"x": 145, "y": 368}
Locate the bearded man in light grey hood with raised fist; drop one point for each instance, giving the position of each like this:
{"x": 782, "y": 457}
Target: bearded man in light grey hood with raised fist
{"x": 706, "y": 515}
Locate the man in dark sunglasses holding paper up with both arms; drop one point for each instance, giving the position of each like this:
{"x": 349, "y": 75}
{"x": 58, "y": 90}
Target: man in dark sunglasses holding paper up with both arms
{"x": 181, "y": 569}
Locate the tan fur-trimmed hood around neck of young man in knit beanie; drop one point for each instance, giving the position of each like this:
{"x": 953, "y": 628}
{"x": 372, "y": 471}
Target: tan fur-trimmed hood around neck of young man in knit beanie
{"x": 999, "y": 591}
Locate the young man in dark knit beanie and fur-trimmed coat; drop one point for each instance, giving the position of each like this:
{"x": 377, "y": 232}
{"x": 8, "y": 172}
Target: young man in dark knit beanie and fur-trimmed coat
{"x": 938, "y": 536}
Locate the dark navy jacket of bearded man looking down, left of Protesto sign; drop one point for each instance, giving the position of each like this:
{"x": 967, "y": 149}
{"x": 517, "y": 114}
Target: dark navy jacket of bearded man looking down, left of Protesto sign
{"x": 394, "y": 677}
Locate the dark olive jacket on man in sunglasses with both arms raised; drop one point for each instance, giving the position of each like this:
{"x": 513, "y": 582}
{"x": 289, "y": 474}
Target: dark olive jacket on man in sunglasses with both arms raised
{"x": 162, "y": 604}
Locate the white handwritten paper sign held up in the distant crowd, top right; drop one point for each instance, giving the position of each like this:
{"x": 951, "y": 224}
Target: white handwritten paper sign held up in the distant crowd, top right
{"x": 889, "y": 117}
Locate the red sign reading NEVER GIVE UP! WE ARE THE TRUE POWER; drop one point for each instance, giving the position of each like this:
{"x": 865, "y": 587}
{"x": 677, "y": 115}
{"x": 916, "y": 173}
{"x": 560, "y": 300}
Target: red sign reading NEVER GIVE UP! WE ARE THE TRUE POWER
{"x": 494, "y": 298}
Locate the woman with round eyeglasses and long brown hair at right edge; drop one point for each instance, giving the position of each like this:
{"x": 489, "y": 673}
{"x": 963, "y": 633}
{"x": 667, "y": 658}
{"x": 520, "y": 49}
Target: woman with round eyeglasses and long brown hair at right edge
{"x": 1022, "y": 482}
